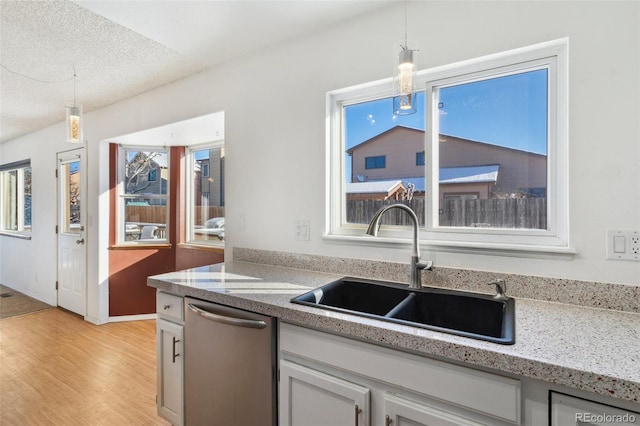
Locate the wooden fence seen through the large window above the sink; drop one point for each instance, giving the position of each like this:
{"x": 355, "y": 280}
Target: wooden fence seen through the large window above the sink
{"x": 522, "y": 213}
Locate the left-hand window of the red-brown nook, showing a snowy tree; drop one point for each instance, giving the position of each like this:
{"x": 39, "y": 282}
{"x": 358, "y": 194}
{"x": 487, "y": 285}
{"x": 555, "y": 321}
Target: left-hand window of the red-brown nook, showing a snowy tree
{"x": 143, "y": 195}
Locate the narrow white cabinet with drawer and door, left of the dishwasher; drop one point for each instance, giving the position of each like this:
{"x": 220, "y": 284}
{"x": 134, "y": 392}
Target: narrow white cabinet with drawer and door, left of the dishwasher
{"x": 169, "y": 352}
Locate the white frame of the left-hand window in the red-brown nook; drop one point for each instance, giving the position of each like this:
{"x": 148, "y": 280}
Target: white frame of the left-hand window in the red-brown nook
{"x": 121, "y": 237}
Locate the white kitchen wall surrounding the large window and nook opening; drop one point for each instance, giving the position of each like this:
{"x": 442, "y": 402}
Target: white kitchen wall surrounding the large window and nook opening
{"x": 274, "y": 104}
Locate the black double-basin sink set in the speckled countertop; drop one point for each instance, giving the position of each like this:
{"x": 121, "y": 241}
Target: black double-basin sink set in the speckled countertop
{"x": 474, "y": 315}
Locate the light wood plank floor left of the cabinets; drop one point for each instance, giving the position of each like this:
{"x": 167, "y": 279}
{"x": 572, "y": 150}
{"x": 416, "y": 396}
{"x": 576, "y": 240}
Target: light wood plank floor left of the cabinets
{"x": 56, "y": 369}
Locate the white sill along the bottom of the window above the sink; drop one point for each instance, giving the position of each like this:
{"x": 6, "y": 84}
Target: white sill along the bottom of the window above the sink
{"x": 490, "y": 249}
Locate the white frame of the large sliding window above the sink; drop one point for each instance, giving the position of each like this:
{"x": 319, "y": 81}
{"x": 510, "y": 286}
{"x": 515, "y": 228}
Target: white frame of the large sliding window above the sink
{"x": 553, "y": 242}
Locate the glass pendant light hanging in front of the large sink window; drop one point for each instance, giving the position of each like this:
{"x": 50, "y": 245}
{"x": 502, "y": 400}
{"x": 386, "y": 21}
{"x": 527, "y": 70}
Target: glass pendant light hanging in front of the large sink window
{"x": 404, "y": 95}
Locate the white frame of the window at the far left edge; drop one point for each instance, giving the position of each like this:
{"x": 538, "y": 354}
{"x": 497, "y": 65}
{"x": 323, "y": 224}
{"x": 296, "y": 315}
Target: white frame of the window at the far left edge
{"x": 23, "y": 230}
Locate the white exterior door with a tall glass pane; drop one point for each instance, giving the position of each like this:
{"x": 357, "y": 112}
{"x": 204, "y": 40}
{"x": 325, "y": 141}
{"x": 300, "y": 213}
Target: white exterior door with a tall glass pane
{"x": 72, "y": 252}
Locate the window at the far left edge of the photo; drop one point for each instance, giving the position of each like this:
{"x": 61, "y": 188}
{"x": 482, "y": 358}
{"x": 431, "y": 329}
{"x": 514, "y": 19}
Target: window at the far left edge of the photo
{"x": 15, "y": 193}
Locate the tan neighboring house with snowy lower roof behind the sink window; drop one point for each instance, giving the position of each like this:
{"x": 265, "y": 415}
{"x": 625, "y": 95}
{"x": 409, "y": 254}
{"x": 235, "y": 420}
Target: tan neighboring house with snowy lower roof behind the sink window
{"x": 467, "y": 168}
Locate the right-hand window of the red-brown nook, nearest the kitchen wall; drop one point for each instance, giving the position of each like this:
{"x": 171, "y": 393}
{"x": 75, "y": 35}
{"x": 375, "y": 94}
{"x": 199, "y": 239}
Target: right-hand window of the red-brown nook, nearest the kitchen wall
{"x": 206, "y": 198}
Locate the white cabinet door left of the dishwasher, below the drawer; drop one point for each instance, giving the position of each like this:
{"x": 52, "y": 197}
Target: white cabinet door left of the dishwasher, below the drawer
{"x": 169, "y": 341}
